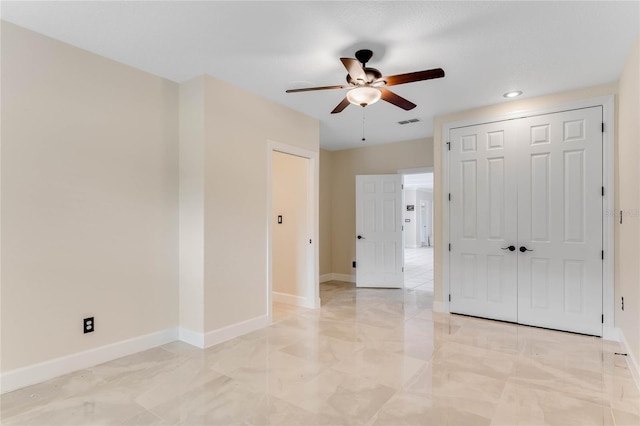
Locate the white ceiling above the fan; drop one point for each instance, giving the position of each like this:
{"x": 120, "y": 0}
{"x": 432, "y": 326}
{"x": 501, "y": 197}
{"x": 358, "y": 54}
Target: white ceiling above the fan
{"x": 485, "y": 48}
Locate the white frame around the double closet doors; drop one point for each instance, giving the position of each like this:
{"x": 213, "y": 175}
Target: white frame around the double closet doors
{"x": 609, "y": 331}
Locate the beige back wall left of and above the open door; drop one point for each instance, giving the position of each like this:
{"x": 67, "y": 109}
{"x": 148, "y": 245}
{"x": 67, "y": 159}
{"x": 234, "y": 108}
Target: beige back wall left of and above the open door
{"x": 346, "y": 164}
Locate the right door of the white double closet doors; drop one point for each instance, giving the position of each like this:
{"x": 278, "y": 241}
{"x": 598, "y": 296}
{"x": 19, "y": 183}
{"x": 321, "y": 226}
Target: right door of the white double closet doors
{"x": 560, "y": 213}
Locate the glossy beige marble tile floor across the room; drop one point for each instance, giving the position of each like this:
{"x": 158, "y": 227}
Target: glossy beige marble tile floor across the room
{"x": 367, "y": 357}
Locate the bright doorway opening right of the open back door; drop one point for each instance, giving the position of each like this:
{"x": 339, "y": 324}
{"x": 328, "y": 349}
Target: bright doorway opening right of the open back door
{"x": 418, "y": 229}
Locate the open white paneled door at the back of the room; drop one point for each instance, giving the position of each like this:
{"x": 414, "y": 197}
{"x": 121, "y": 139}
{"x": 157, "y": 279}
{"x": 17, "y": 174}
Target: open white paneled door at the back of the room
{"x": 379, "y": 238}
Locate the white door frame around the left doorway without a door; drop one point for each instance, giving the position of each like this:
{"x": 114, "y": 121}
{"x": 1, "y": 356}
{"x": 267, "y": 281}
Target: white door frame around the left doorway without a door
{"x": 313, "y": 287}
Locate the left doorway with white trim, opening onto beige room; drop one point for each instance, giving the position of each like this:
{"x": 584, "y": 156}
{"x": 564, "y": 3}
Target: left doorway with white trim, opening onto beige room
{"x": 292, "y": 237}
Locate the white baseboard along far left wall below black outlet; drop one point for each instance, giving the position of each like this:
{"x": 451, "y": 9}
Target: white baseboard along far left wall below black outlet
{"x": 37, "y": 373}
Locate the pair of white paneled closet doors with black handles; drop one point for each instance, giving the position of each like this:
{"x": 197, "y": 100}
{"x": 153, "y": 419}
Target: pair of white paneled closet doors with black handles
{"x": 534, "y": 184}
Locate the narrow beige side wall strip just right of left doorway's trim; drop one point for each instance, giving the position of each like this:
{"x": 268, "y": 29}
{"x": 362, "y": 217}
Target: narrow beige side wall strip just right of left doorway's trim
{"x": 326, "y": 171}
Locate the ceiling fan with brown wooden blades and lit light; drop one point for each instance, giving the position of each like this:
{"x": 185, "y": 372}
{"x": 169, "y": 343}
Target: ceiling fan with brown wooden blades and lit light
{"x": 368, "y": 85}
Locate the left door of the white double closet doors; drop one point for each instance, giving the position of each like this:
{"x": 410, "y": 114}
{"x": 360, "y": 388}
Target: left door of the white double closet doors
{"x": 483, "y": 218}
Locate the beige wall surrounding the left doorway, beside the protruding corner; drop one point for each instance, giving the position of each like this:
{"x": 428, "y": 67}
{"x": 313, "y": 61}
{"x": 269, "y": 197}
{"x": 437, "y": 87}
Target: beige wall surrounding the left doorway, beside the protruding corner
{"x": 238, "y": 125}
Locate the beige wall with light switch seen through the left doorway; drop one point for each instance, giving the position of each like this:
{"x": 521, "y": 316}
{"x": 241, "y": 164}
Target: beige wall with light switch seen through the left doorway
{"x": 289, "y": 241}
